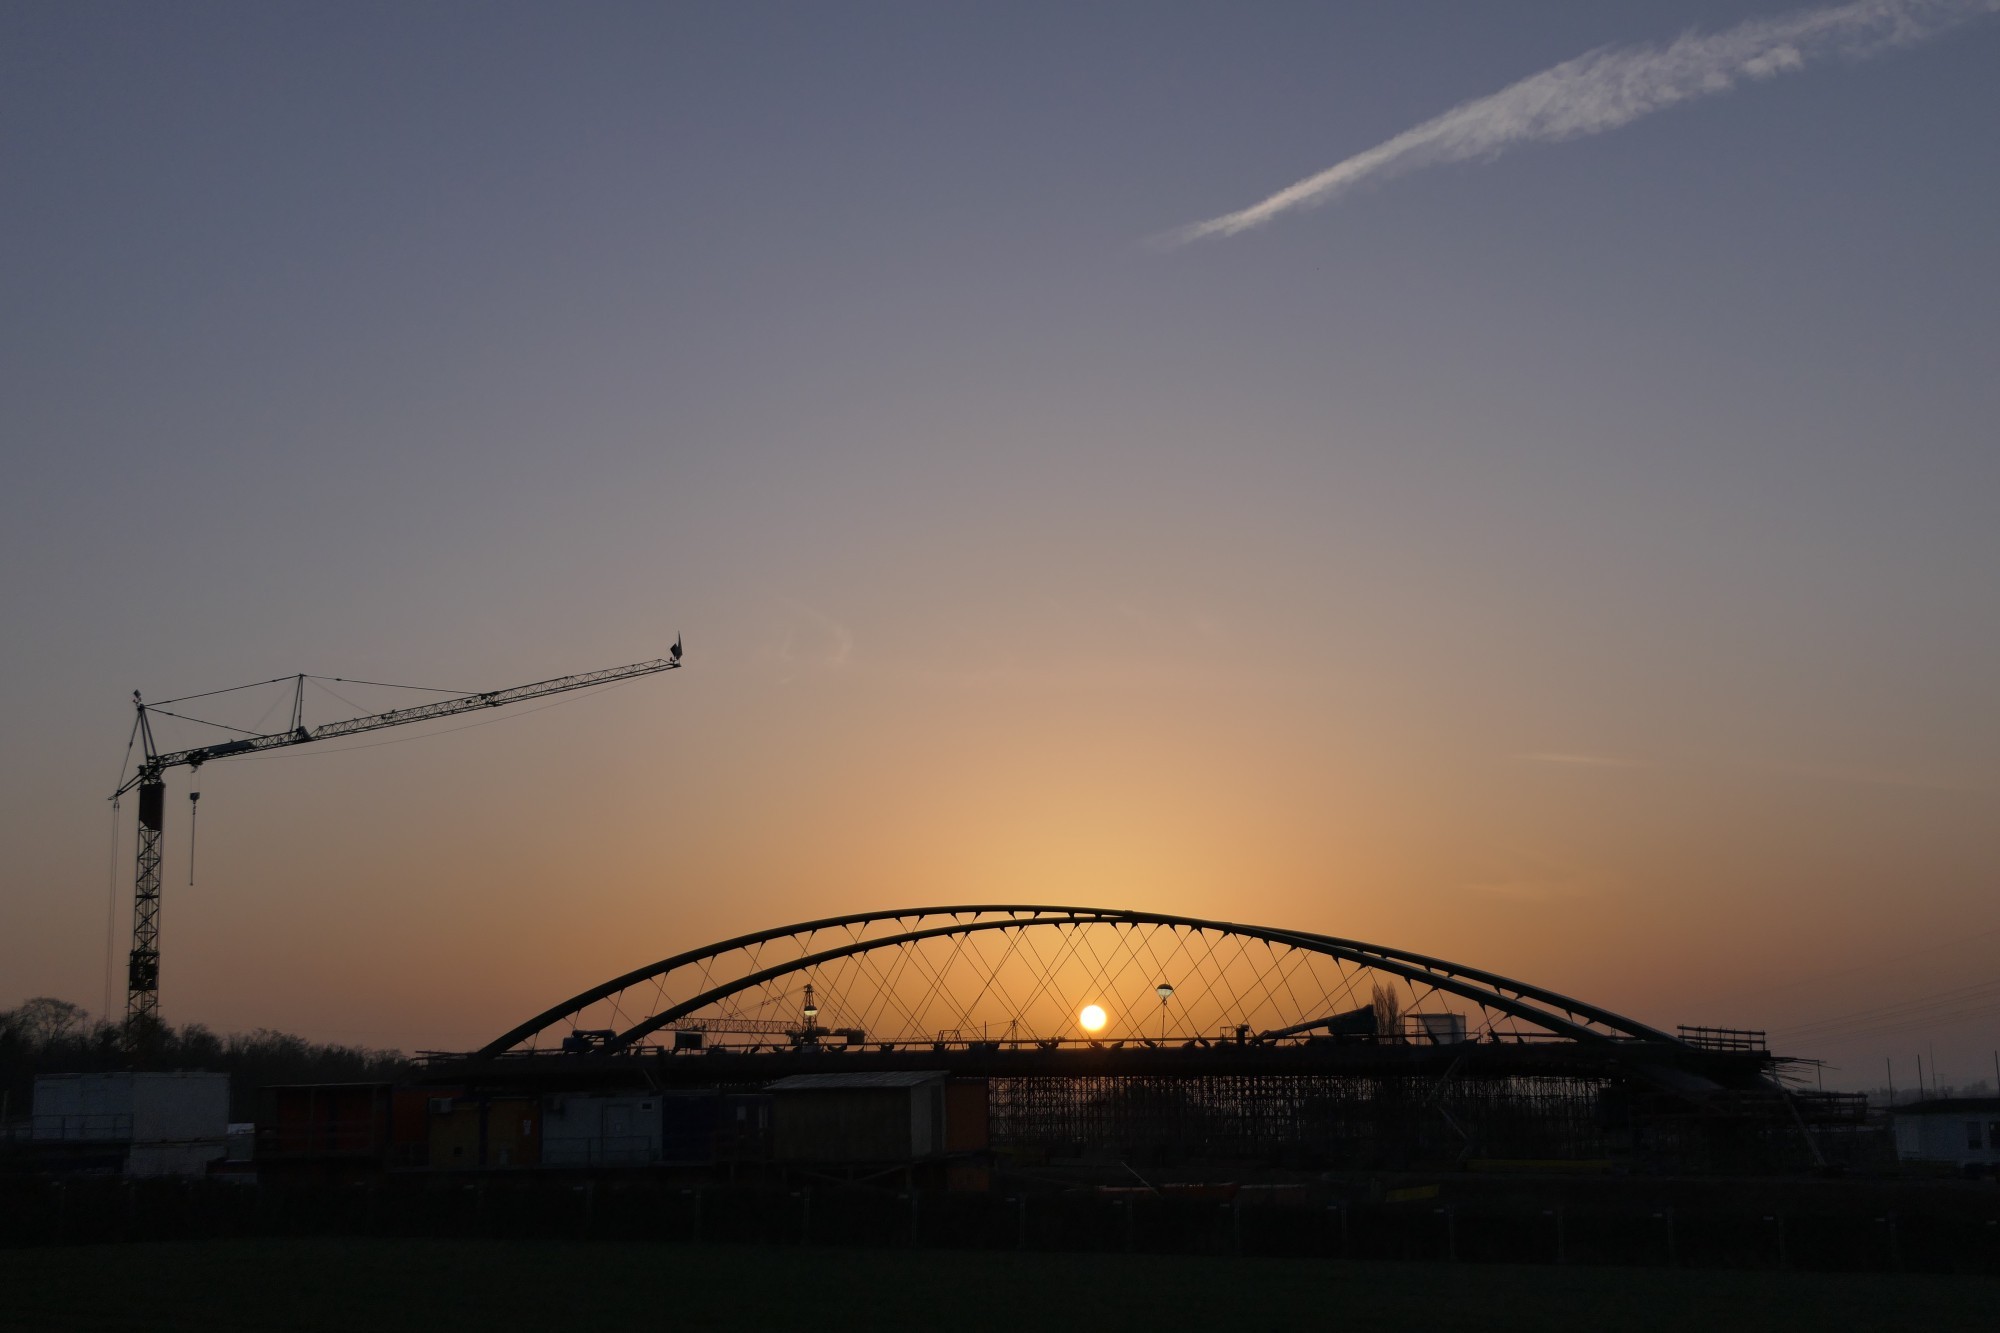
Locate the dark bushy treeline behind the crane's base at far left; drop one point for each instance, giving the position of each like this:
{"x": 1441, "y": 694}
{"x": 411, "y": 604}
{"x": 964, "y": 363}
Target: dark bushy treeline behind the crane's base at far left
{"x": 51, "y": 1036}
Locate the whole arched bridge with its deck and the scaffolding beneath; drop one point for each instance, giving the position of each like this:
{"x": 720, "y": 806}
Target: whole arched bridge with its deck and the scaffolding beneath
{"x": 1115, "y": 1032}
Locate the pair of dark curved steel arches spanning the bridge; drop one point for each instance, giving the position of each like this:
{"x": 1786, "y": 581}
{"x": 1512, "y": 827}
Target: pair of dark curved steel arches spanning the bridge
{"x": 1539, "y": 1006}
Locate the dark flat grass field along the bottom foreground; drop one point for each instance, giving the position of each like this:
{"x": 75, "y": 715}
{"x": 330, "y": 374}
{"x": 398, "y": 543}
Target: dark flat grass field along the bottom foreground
{"x": 433, "y": 1286}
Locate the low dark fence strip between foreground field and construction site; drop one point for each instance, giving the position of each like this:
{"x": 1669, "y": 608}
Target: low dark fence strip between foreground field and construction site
{"x": 1953, "y": 1232}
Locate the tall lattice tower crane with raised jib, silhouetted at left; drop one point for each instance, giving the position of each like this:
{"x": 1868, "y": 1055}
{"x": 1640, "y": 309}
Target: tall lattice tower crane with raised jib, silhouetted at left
{"x": 143, "y": 970}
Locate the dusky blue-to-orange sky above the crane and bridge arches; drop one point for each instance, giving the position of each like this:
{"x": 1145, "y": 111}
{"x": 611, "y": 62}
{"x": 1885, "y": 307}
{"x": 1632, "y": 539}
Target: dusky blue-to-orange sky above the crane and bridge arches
{"x": 1561, "y": 541}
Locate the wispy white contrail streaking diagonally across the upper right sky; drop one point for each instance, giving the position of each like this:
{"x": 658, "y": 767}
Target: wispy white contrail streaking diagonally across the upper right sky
{"x": 1613, "y": 87}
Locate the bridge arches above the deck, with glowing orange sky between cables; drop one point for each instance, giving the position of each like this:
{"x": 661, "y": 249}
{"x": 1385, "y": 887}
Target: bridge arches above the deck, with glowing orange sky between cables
{"x": 1009, "y": 978}
